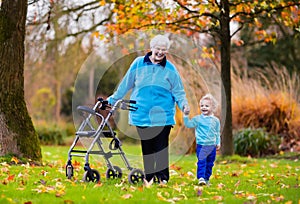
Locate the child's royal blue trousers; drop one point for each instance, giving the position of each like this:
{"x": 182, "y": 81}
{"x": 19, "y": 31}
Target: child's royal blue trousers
{"x": 206, "y": 157}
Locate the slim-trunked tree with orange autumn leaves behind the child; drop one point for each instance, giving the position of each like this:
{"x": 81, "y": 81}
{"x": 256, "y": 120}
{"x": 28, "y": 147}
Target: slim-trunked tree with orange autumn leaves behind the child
{"x": 211, "y": 17}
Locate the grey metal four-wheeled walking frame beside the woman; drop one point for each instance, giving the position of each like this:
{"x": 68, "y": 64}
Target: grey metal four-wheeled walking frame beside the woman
{"x": 97, "y": 134}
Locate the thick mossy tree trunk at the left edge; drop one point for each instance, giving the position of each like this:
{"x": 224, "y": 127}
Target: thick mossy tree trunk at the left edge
{"x": 17, "y": 134}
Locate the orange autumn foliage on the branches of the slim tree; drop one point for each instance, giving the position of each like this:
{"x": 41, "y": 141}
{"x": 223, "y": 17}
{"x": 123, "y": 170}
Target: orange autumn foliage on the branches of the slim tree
{"x": 179, "y": 15}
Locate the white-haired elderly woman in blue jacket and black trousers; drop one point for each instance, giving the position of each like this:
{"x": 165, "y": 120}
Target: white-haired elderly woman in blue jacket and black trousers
{"x": 156, "y": 87}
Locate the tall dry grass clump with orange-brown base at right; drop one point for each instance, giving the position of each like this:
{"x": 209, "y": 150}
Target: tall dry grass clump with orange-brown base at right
{"x": 268, "y": 99}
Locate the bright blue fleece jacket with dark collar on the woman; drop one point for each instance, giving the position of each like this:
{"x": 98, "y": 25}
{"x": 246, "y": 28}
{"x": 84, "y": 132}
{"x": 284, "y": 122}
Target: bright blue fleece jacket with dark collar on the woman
{"x": 155, "y": 88}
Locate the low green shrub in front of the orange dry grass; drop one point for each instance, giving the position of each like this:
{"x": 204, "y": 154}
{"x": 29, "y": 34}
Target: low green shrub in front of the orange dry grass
{"x": 255, "y": 142}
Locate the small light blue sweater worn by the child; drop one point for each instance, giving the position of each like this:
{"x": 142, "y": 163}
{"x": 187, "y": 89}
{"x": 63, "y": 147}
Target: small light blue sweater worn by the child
{"x": 207, "y": 129}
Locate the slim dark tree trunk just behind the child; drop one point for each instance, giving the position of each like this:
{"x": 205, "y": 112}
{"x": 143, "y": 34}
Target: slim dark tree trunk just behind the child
{"x": 227, "y": 137}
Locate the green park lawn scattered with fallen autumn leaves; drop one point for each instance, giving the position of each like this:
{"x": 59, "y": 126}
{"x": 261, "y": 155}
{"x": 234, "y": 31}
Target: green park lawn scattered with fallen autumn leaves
{"x": 235, "y": 180}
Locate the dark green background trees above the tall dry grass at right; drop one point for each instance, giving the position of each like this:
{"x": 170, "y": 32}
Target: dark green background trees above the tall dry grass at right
{"x": 283, "y": 50}
